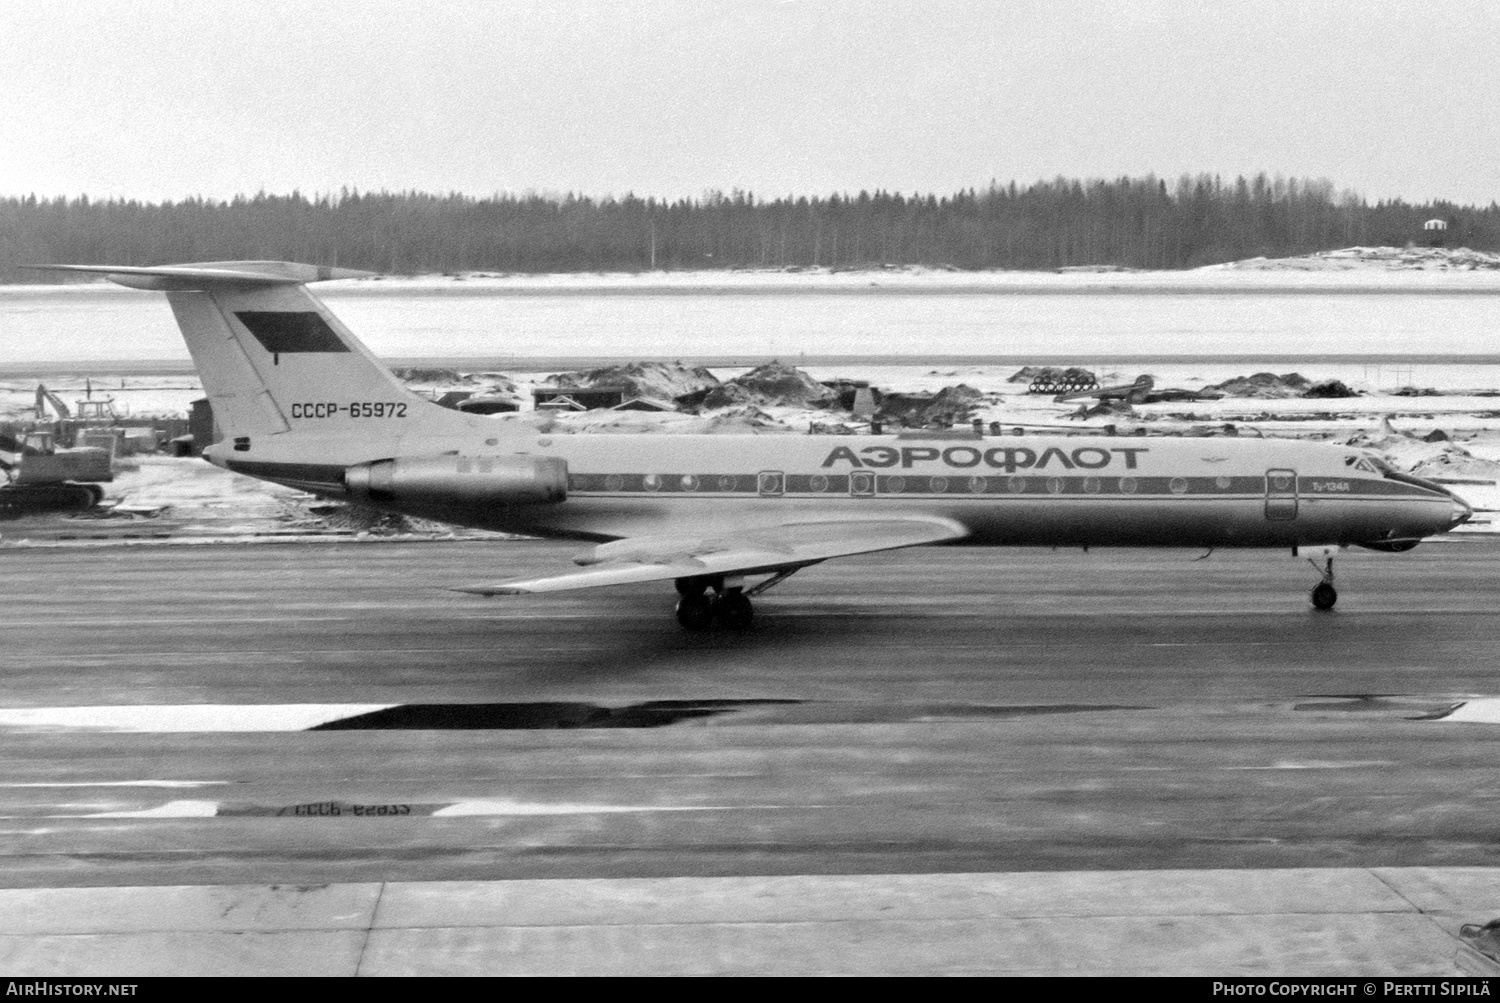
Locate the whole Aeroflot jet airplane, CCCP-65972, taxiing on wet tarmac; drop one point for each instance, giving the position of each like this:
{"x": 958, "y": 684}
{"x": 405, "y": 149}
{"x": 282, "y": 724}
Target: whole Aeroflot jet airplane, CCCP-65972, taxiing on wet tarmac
{"x": 725, "y": 518}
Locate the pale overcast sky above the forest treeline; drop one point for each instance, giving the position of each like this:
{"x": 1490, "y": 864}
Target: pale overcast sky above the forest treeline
{"x": 124, "y": 98}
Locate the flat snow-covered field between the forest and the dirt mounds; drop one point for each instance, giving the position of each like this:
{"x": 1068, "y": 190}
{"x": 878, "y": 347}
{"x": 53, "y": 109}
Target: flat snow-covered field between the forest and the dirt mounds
{"x": 1361, "y": 302}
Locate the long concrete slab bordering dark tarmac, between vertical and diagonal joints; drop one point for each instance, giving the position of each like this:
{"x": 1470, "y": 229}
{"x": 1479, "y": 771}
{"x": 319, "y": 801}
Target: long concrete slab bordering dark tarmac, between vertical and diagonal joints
{"x": 886, "y": 897}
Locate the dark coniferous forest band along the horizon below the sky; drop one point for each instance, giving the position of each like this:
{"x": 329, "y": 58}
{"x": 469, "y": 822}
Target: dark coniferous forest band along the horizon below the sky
{"x": 1135, "y": 223}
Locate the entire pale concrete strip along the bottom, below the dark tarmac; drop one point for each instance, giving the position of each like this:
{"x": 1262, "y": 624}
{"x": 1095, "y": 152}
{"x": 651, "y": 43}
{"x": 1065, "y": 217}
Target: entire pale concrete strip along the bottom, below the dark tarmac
{"x": 1289, "y": 921}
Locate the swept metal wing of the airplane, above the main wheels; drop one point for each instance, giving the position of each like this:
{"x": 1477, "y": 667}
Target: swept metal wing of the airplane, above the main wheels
{"x": 751, "y": 552}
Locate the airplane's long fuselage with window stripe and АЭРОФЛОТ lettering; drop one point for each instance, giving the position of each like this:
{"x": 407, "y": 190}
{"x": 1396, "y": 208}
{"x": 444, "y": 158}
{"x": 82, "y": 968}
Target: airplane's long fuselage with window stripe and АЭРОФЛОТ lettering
{"x": 1018, "y": 491}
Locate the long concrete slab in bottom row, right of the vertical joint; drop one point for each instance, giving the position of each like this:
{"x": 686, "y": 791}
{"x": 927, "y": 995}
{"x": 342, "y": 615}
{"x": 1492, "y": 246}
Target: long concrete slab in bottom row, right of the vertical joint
{"x": 1159, "y": 945}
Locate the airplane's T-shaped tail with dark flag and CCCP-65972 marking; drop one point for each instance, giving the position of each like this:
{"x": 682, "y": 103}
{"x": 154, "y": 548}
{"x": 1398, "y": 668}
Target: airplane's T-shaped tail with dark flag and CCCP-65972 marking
{"x": 274, "y": 358}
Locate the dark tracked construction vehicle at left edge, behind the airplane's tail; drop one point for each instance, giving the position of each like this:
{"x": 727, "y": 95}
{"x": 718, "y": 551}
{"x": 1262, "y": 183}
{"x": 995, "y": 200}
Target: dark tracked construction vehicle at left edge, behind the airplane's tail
{"x": 40, "y": 476}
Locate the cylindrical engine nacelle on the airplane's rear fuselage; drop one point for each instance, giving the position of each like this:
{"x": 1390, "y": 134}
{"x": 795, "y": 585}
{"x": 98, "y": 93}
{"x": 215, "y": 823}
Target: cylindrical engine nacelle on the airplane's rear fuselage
{"x": 460, "y": 481}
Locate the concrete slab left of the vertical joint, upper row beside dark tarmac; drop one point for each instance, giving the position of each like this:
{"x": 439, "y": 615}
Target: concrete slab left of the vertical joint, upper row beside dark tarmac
{"x": 190, "y": 908}
